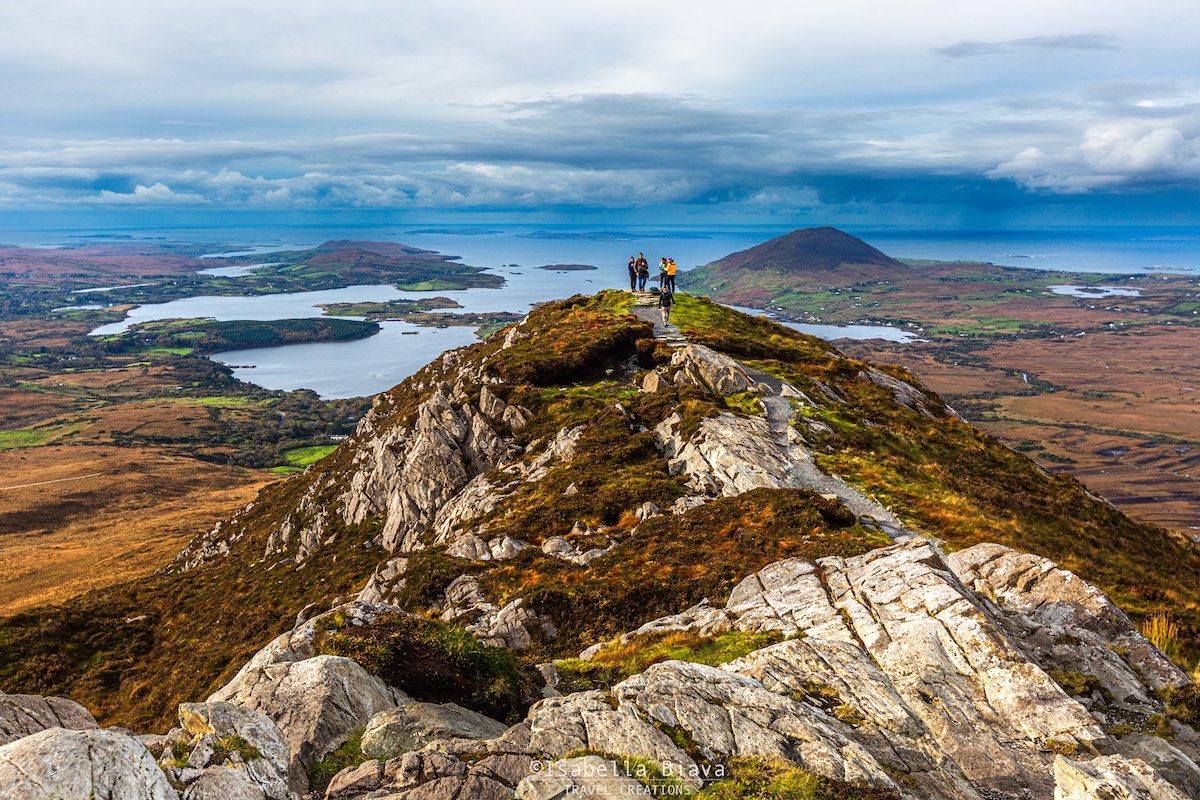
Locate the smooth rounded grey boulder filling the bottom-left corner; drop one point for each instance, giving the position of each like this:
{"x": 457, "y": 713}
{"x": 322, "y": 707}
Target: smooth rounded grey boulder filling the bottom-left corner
{"x": 61, "y": 765}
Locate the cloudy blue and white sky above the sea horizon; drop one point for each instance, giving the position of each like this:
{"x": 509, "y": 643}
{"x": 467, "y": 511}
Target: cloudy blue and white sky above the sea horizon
{"x": 946, "y": 115}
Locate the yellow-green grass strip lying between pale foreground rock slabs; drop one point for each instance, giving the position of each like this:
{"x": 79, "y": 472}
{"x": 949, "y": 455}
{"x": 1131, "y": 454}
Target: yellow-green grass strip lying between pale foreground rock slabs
{"x": 619, "y": 661}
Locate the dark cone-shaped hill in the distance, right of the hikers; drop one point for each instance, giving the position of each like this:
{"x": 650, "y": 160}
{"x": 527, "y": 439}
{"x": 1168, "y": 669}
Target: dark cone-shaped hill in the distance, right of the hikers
{"x": 817, "y": 256}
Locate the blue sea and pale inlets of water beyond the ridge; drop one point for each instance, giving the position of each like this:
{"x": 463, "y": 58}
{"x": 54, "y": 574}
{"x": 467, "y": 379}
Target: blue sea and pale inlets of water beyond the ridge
{"x": 374, "y": 365}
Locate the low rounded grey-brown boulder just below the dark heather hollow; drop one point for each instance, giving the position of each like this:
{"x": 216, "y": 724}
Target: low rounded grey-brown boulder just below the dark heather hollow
{"x": 412, "y": 726}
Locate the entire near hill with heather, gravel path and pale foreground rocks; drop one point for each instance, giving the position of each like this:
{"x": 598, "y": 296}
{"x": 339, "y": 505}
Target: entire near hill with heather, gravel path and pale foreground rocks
{"x": 597, "y": 557}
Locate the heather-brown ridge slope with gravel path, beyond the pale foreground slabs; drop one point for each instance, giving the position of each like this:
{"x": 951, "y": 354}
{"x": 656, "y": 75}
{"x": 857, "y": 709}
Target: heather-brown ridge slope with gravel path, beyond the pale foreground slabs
{"x": 537, "y": 449}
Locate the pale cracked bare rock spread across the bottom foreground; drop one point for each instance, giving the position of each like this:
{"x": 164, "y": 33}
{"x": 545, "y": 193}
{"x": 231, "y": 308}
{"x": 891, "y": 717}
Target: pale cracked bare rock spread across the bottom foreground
{"x": 904, "y": 671}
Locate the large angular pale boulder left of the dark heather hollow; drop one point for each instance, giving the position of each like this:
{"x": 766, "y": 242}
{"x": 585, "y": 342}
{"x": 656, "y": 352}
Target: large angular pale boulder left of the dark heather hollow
{"x": 316, "y": 703}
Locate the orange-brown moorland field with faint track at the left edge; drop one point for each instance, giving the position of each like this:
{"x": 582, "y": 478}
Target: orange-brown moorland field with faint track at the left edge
{"x": 77, "y": 518}
